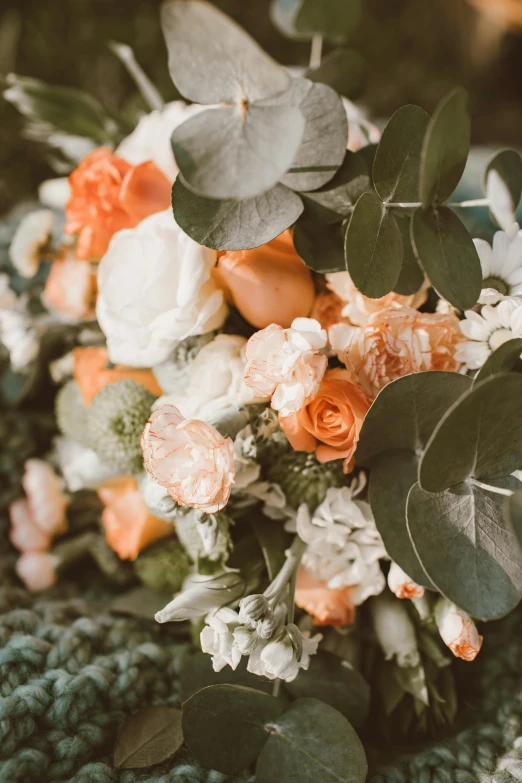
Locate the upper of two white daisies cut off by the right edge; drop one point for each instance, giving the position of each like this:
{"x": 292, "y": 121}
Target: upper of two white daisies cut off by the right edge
{"x": 501, "y": 266}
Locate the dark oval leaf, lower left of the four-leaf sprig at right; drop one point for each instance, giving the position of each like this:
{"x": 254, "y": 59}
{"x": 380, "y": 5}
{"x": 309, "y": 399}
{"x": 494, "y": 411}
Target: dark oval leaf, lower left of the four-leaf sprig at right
{"x": 373, "y": 247}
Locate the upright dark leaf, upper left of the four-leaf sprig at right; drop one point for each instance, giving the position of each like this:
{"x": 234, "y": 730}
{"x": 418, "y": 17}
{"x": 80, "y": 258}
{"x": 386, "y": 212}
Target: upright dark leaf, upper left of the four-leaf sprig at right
{"x": 397, "y": 162}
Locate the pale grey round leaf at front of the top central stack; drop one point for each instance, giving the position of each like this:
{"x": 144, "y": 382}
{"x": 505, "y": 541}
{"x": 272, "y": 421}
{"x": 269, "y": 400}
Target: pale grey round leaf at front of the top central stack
{"x": 229, "y": 153}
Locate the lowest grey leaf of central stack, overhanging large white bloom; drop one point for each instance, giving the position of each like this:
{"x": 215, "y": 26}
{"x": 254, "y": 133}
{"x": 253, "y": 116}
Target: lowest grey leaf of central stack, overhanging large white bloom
{"x": 235, "y": 225}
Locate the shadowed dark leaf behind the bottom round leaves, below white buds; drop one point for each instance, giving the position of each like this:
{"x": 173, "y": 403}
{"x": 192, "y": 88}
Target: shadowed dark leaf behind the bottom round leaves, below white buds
{"x": 335, "y": 682}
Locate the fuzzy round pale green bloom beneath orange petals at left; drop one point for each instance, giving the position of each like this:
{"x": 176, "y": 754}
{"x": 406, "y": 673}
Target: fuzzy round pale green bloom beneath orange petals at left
{"x": 116, "y": 419}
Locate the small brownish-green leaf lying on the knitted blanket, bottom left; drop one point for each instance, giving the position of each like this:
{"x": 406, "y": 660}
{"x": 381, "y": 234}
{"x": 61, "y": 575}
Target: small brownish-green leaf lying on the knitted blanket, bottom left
{"x": 148, "y": 737}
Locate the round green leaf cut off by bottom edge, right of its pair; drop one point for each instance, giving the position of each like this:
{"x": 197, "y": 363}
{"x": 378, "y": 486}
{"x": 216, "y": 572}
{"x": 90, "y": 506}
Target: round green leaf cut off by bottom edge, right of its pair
{"x": 311, "y": 742}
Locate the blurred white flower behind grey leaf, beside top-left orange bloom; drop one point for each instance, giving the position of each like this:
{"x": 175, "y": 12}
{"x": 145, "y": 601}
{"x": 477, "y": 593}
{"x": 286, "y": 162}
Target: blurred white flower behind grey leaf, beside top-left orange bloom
{"x": 150, "y": 140}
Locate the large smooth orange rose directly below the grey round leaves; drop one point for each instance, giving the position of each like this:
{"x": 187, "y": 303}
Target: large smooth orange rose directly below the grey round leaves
{"x": 269, "y": 284}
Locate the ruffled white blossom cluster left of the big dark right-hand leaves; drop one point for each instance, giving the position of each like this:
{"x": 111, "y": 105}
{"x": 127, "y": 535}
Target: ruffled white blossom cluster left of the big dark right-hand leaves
{"x": 344, "y": 545}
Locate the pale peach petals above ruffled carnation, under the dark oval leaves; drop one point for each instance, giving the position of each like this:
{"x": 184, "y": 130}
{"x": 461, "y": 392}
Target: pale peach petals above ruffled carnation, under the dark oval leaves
{"x": 358, "y": 308}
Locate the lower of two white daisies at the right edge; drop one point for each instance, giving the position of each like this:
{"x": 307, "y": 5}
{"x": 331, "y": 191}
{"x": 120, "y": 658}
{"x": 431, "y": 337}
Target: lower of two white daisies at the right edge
{"x": 488, "y": 330}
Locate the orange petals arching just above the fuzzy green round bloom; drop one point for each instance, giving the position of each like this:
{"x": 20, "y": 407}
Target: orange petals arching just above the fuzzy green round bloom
{"x": 91, "y": 373}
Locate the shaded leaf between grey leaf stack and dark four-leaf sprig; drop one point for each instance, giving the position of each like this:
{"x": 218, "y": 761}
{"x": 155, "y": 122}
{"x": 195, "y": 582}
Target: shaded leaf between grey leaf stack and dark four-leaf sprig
{"x": 335, "y": 200}
